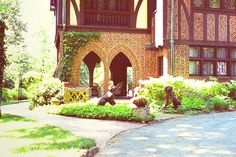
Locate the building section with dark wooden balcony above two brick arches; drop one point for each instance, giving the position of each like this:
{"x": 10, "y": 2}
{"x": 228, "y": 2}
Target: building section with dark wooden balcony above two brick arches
{"x": 125, "y": 27}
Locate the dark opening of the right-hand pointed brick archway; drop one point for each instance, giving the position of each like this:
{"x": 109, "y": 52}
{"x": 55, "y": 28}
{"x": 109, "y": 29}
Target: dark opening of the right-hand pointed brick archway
{"x": 120, "y": 72}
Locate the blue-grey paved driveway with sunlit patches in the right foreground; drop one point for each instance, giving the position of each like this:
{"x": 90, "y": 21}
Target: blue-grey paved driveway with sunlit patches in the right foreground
{"x": 212, "y": 135}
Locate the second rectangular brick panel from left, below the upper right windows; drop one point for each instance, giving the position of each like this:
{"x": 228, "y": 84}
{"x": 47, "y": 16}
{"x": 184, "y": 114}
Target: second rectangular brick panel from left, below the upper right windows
{"x": 211, "y": 27}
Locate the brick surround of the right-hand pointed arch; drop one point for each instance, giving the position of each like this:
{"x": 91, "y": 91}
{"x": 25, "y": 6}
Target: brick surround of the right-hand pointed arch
{"x": 129, "y": 53}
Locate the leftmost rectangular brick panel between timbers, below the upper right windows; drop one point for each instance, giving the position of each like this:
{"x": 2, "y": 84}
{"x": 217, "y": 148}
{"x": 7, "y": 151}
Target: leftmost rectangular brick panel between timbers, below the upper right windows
{"x": 198, "y": 26}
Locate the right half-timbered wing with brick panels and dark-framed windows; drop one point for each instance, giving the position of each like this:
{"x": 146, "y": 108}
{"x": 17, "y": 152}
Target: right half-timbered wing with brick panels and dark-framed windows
{"x": 205, "y": 37}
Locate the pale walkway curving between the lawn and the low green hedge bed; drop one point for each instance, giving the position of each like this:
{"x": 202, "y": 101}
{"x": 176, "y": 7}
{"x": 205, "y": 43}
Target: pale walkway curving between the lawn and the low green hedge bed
{"x": 100, "y": 130}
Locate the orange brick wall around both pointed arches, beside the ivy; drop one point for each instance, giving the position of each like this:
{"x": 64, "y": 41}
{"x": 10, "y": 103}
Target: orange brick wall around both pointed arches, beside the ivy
{"x": 132, "y": 45}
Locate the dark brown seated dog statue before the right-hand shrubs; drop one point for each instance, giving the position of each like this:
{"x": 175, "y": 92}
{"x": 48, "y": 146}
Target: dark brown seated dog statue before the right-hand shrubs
{"x": 170, "y": 96}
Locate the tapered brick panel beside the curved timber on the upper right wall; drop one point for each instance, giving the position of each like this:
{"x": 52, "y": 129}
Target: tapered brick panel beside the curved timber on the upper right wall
{"x": 184, "y": 26}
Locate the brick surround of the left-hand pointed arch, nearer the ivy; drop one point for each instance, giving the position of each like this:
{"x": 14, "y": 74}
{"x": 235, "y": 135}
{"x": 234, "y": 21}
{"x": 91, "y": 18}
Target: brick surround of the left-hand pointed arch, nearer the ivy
{"x": 83, "y": 52}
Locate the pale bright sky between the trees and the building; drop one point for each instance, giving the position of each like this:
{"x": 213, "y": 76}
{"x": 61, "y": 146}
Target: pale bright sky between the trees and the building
{"x": 37, "y": 15}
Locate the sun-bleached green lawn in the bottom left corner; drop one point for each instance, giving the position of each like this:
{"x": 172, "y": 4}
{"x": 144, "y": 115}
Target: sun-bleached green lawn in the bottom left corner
{"x": 24, "y": 137}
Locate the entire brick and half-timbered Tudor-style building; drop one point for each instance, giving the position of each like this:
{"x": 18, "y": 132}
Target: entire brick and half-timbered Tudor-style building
{"x": 136, "y": 33}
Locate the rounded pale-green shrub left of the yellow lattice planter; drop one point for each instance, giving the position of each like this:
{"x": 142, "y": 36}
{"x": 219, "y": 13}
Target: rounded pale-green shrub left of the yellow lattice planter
{"x": 46, "y": 90}
